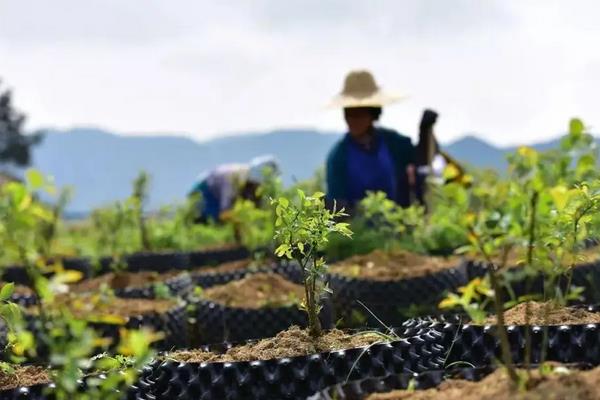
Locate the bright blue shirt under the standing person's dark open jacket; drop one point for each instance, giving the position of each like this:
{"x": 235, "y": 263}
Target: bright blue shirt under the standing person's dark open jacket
{"x": 370, "y": 170}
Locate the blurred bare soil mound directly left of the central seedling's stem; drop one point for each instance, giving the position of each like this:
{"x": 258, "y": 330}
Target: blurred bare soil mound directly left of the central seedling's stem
{"x": 257, "y": 291}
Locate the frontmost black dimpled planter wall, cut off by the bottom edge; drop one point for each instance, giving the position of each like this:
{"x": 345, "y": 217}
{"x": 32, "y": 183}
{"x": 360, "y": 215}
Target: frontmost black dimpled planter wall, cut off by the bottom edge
{"x": 361, "y": 389}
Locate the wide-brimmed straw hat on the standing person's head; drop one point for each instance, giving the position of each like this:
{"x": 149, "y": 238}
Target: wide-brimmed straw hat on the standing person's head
{"x": 361, "y": 90}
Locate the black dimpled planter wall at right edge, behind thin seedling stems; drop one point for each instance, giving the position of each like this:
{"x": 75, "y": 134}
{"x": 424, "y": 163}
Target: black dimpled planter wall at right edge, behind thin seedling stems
{"x": 479, "y": 345}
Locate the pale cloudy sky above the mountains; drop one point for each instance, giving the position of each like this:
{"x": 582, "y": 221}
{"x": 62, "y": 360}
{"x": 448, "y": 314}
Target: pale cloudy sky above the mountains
{"x": 508, "y": 71}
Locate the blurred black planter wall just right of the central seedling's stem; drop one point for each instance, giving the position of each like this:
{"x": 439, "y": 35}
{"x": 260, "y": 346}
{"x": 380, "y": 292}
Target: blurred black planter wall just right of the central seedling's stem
{"x": 390, "y": 300}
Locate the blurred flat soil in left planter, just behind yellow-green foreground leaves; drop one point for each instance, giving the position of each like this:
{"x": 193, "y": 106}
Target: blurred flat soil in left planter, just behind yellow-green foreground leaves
{"x": 101, "y": 308}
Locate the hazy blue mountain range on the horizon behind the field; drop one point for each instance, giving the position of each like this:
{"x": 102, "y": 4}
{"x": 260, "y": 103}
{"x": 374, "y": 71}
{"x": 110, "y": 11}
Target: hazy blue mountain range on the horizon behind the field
{"x": 101, "y": 165}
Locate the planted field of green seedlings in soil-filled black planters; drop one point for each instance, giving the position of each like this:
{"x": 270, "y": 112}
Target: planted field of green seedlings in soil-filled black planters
{"x": 490, "y": 291}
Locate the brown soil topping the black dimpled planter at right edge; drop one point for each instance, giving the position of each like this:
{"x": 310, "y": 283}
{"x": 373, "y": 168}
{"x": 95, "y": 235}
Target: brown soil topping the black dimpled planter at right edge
{"x": 547, "y": 314}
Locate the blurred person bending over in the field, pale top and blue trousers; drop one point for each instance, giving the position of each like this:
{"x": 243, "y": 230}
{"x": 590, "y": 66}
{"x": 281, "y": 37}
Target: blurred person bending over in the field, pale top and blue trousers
{"x": 221, "y": 187}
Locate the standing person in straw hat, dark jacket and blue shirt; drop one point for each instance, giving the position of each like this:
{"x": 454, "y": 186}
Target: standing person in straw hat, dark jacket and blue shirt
{"x": 368, "y": 157}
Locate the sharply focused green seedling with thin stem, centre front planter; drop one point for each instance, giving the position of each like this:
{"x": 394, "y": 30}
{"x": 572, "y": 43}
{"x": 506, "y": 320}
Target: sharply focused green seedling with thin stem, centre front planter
{"x": 303, "y": 228}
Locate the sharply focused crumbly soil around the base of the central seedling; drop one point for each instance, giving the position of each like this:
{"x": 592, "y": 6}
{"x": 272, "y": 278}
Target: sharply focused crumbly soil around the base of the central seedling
{"x": 290, "y": 343}
